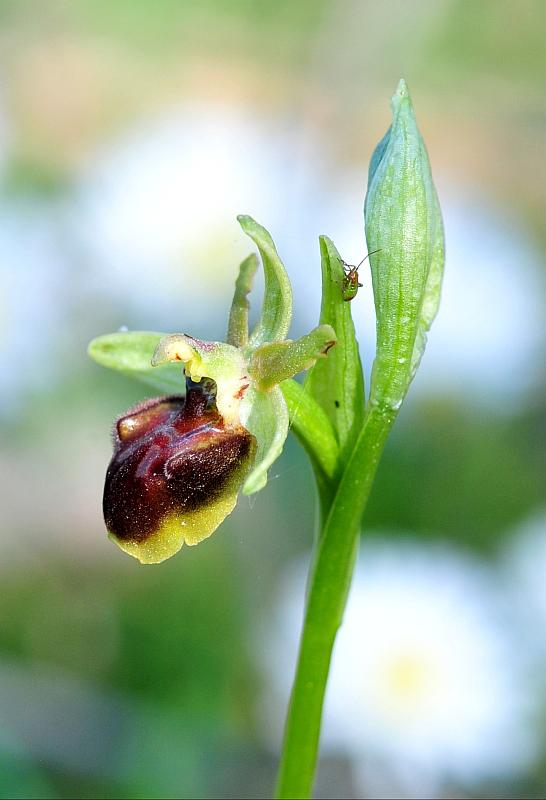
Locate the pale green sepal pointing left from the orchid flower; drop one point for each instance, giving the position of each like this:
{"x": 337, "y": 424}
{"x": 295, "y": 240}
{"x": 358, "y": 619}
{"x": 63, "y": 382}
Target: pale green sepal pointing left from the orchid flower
{"x": 131, "y": 354}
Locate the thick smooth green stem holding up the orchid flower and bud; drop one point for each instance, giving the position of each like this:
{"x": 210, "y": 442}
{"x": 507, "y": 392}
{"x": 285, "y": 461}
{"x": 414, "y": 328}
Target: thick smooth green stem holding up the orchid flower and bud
{"x": 329, "y": 583}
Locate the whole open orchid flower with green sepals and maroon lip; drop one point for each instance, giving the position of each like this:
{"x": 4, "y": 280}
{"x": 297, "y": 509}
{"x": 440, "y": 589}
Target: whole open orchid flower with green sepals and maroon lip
{"x": 233, "y": 429}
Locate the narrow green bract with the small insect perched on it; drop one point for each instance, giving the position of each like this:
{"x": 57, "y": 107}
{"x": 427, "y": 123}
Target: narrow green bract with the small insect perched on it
{"x": 336, "y": 382}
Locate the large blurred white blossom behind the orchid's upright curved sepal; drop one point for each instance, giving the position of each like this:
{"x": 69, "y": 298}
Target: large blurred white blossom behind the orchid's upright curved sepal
{"x": 155, "y": 211}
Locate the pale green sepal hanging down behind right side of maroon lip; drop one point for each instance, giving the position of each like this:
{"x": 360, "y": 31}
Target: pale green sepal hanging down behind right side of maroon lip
{"x": 265, "y": 415}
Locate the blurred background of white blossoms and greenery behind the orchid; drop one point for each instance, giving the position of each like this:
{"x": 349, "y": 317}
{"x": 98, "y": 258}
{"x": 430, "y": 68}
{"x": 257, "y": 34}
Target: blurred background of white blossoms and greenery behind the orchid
{"x": 131, "y": 134}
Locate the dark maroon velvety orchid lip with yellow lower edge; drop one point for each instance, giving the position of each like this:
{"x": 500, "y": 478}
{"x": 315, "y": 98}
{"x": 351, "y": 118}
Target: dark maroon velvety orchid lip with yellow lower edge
{"x": 175, "y": 473}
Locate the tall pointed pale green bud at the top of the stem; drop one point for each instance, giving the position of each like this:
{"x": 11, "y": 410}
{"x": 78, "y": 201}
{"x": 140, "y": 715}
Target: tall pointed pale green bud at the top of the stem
{"x": 403, "y": 220}
